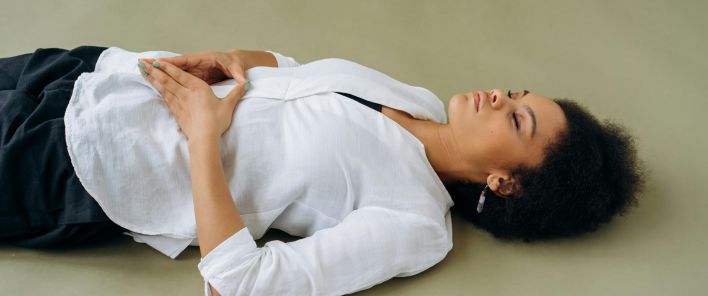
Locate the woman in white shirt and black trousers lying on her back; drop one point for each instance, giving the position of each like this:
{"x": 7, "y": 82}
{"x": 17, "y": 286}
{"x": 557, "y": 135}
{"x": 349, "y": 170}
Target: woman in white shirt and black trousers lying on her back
{"x": 184, "y": 152}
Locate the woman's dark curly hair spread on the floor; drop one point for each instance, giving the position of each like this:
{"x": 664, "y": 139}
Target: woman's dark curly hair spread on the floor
{"x": 589, "y": 174}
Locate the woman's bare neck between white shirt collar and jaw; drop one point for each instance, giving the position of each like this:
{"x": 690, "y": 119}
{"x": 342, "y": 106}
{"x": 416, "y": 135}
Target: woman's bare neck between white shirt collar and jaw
{"x": 442, "y": 151}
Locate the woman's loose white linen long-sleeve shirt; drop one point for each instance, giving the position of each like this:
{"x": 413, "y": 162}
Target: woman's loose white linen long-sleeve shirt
{"x": 298, "y": 157}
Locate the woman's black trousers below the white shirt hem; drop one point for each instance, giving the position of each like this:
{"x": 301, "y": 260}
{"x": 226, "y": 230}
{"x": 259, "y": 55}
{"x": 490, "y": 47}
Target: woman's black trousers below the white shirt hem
{"x": 42, "y": 202}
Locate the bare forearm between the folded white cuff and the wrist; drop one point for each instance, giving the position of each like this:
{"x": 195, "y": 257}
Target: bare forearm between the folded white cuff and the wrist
{"x": 216, "y": 214}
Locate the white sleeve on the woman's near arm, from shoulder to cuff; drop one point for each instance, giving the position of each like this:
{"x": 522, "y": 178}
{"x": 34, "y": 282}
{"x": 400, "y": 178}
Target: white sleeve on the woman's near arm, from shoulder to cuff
{"x": 370, "y": 246}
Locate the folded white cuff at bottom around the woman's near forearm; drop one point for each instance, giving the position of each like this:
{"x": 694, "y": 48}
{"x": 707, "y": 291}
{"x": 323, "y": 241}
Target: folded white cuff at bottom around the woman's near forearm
{"x": 225, "y": 255}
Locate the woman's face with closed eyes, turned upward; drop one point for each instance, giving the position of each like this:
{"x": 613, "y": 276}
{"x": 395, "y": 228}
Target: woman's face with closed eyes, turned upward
{"x": 499, "y": 130}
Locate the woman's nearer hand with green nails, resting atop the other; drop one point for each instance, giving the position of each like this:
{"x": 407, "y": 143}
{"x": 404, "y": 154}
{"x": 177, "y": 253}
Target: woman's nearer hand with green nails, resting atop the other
{"x": 197, "y": 110}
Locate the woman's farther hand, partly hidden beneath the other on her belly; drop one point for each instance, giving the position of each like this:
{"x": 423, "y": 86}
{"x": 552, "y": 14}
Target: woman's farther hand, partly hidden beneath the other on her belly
{"x": 210, "y": 66}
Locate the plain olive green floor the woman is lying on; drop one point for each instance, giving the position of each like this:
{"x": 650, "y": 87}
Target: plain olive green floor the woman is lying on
{"x": 641, "y": 63}
